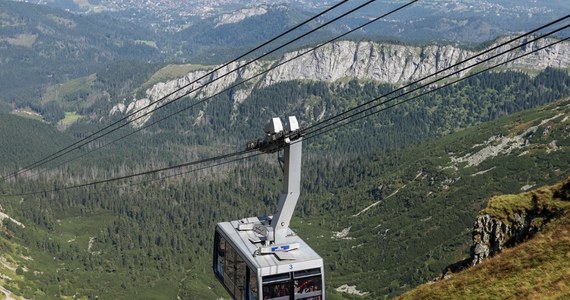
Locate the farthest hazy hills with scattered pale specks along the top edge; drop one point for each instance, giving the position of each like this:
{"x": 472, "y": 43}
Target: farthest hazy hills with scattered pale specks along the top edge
{"x": 457, "y": 20}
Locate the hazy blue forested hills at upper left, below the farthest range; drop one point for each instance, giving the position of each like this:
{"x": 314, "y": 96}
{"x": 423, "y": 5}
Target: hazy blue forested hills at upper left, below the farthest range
{"x": 42, "y": 47}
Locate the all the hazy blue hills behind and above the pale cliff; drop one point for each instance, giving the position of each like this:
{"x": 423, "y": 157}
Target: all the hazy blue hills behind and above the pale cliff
{"x": 43, "y": 46}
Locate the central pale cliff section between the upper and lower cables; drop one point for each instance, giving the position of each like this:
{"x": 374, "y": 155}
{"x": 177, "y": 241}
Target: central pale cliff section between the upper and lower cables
{"x": 366, "y": 60}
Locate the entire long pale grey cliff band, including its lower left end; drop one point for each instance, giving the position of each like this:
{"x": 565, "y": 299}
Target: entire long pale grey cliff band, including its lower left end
{"x": 381, "y": 62}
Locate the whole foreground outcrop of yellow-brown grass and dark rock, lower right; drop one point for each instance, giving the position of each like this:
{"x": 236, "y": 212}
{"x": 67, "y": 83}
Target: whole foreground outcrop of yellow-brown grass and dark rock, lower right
{"x": 535, "y": 268}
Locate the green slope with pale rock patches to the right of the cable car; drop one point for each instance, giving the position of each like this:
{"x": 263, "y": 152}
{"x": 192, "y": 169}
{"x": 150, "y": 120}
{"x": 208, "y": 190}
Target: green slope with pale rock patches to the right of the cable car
{"x": 411, "y": 236}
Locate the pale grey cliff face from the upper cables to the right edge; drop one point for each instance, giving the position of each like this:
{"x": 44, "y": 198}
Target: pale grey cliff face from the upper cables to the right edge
{"x": 389, "y": 63}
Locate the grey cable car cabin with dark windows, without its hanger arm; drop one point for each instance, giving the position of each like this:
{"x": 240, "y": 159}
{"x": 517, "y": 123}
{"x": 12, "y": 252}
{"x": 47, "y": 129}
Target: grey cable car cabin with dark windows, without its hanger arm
{"x": 296, "y": 274}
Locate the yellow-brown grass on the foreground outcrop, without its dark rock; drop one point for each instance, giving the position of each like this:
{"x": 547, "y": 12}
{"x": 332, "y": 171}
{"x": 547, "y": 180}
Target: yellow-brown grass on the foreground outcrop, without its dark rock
{"x": 538, "y": 268}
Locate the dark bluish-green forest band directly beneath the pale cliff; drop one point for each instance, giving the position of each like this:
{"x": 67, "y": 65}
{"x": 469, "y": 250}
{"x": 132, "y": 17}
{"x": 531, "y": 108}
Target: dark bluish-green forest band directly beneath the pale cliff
{"x": 476, "y": 100}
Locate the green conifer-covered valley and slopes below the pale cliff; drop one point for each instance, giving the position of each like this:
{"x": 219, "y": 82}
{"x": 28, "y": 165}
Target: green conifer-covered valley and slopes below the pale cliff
{"x": 152, "y": 238}
